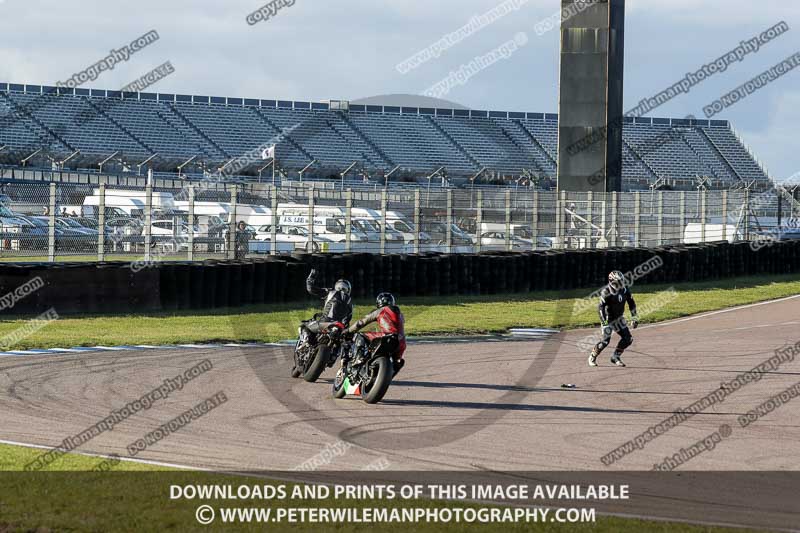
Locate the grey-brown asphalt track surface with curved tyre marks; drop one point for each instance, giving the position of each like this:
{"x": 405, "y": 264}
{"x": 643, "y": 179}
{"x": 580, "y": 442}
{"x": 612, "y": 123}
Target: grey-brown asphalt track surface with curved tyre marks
{"x": 483, "y": 406}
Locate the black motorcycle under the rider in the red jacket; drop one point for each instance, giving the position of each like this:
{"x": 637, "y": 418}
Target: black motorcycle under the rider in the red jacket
{"x": 367, "y": 368}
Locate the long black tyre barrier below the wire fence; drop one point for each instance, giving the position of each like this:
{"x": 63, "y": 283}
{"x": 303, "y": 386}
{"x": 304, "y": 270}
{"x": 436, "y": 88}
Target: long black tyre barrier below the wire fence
{"x": 96, "y": 288}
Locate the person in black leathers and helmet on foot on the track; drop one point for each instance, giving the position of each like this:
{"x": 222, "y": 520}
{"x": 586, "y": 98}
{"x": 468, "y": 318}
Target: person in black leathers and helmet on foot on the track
{"x": 613, "y": 298}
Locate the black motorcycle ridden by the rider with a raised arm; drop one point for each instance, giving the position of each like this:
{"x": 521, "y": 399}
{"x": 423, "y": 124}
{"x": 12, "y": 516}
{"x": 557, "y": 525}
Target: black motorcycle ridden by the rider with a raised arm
{"x": 314, "y": 353}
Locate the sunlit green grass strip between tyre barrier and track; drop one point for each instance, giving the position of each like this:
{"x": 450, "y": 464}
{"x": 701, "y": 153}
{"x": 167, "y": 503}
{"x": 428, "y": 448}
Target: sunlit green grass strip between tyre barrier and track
{"x": 424, "y": 316}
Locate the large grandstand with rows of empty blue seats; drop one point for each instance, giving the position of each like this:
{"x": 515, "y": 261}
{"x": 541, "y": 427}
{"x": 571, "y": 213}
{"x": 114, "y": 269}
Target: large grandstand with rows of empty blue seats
{"x": 81, "y": 128}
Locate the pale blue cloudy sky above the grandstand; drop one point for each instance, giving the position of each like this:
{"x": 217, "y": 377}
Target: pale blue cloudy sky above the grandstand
{"x": 320, "y": 50}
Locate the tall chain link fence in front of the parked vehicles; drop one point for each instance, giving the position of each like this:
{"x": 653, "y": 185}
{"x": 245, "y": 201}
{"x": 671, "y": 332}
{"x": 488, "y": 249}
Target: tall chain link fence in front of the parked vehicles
{"x": 81, "y": 222}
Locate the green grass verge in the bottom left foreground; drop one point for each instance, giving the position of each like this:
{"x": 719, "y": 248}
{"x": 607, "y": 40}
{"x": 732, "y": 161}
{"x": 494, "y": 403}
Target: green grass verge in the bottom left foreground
{"x": 134, "y": 498}
